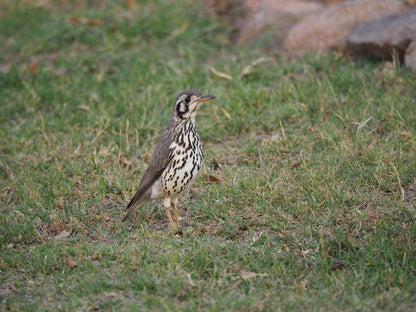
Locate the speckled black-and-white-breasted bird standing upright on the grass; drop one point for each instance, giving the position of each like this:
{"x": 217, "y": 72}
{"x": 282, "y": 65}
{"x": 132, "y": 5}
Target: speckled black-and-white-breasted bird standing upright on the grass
{"x": 176, "y": 159}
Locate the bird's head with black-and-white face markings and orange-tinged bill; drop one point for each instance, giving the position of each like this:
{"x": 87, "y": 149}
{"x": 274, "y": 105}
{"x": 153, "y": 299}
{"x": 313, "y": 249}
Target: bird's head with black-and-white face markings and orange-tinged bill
{"x": 188, "y": 103}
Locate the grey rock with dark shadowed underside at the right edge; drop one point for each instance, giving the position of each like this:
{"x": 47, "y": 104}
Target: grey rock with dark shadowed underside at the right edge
{"x": 385, "y": 35}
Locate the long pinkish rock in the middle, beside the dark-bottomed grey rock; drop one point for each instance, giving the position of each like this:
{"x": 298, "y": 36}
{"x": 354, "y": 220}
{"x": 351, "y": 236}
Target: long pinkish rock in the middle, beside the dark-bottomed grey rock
{"x": 329, "y": 28}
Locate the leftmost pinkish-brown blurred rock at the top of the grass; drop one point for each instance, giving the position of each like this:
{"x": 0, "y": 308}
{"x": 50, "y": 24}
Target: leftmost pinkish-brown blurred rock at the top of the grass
{"x": 273, "y": 18}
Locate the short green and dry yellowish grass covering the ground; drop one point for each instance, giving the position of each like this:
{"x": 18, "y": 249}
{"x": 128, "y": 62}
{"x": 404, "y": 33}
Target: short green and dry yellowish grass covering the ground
{"x": 306, "y": 200}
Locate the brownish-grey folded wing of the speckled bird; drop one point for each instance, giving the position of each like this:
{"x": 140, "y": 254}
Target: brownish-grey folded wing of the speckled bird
{"x": 158, "y": 163}
